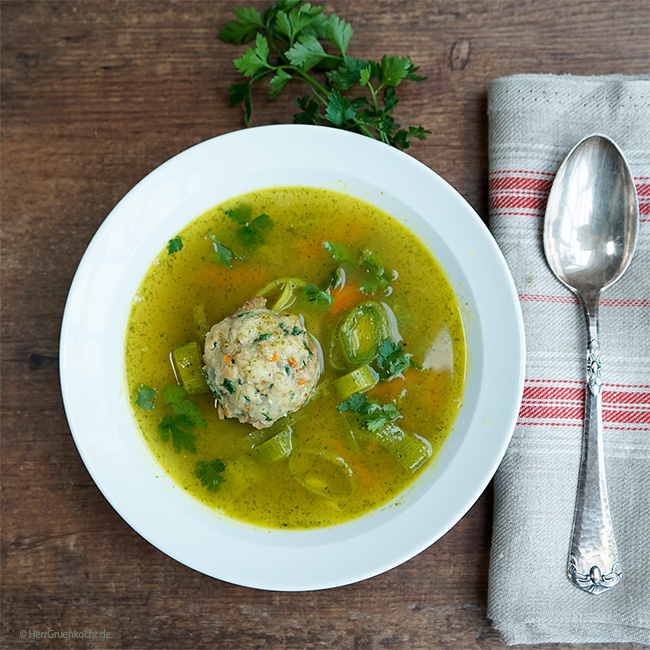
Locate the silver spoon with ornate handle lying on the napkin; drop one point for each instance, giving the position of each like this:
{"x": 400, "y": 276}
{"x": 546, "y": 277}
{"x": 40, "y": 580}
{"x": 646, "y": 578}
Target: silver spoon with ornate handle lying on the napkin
{"x": 590, "y": 234}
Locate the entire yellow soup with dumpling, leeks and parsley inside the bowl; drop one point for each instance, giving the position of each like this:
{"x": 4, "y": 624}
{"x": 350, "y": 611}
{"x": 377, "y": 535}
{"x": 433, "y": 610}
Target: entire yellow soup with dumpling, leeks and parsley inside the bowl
{"x": 296, "y": 357}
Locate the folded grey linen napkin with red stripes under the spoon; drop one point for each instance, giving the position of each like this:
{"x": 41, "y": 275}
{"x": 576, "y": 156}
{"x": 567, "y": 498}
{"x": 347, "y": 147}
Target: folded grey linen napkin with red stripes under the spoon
{"x": 534, "y": 121}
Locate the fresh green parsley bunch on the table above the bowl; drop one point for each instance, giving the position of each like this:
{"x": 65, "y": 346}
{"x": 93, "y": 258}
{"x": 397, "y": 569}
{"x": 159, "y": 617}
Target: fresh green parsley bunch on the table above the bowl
{"x": 295, "y": 41}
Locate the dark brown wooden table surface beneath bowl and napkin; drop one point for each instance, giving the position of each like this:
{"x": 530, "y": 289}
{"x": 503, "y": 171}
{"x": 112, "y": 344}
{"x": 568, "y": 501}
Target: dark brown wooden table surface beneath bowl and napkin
{"x": 95, "y": 94}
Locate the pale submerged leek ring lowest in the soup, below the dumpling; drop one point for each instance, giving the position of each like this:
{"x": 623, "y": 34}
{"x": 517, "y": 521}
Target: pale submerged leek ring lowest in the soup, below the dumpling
{"x": 322, "y": 473}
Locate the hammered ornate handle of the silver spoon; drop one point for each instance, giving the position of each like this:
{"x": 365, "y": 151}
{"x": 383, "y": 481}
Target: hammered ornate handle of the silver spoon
{"x": 593, "y": 558}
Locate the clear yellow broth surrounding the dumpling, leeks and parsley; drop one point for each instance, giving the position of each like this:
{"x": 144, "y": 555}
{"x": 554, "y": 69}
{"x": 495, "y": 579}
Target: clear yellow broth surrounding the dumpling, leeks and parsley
{"x": 428, "y": 319}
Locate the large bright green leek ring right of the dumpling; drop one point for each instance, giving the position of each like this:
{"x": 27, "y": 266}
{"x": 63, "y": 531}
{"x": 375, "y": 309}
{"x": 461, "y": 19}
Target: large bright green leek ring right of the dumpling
{"x": 361, "y": 332}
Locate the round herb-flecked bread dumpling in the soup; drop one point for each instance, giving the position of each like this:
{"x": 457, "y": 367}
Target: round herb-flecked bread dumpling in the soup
{"x": 260, "y": 365}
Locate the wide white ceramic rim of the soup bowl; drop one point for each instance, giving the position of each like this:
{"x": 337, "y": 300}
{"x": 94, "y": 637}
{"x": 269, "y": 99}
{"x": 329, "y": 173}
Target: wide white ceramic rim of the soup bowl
{"x": 92, "y": 369}
